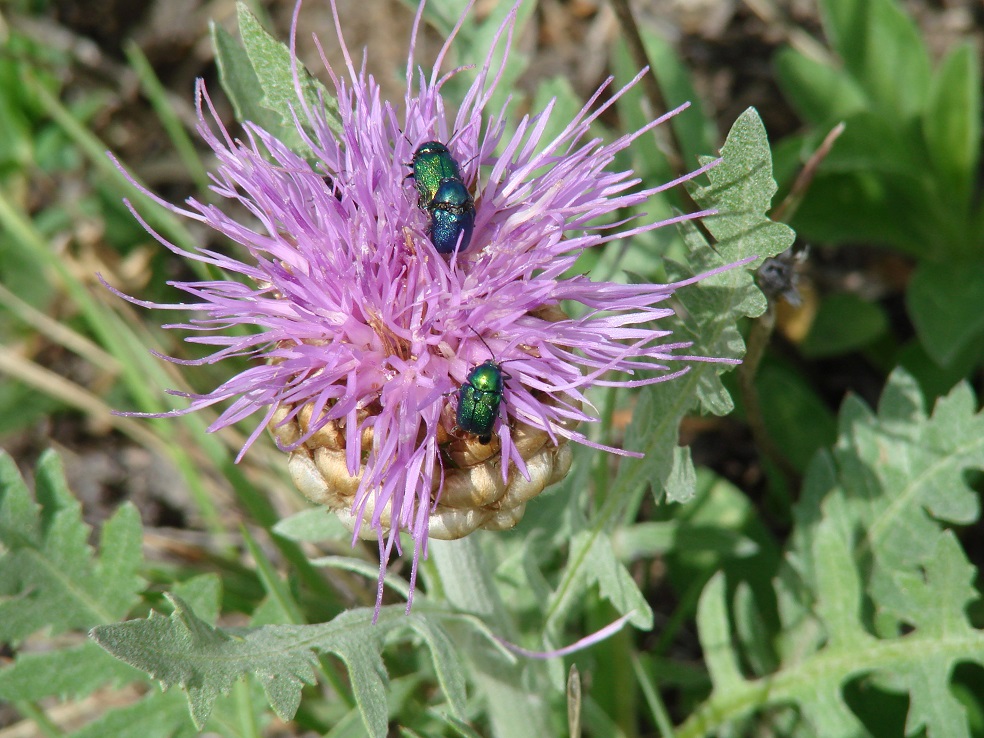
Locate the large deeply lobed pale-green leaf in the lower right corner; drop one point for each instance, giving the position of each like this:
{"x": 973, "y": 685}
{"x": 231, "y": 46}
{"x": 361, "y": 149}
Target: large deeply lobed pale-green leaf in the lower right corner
{"x": 875, "y": 584}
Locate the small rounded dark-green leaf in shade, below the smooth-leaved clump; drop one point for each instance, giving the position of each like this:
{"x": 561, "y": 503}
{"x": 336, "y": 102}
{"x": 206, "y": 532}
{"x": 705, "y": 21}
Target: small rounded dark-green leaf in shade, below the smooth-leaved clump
{"x": 844, "y": 323}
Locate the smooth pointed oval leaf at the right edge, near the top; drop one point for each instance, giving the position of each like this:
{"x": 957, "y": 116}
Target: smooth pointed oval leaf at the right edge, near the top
{"x": 952, "y": 123}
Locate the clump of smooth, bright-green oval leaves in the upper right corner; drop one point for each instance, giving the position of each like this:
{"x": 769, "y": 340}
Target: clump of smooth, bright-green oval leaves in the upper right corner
{"x": 905, "y": 172}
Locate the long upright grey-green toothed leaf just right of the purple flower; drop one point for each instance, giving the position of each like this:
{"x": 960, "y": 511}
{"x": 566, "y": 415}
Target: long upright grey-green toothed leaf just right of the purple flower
{"x": 741, "y": 188}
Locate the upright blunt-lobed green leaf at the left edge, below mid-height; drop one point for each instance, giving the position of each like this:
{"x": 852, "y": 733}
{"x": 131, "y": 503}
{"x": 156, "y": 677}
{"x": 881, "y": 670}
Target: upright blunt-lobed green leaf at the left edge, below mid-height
{"x": 49, "y": 575}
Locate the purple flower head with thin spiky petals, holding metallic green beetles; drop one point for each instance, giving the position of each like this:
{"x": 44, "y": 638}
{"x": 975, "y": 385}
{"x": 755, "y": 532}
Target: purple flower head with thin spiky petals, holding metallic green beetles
{"x": 364, "y": 333}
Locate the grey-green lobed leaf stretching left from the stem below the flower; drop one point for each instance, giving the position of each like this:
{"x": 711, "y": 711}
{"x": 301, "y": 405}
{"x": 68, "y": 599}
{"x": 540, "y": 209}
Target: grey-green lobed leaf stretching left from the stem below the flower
{"x": 185, "y": 651}
